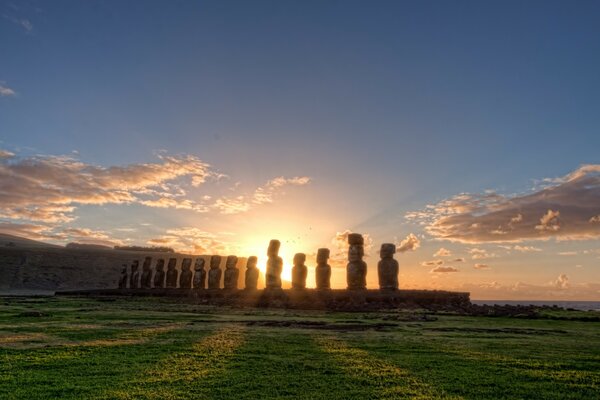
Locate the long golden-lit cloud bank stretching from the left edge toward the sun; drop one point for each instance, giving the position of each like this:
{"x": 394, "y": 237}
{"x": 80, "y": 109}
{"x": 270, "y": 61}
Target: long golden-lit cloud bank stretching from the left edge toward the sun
{"x": 50, "y": 188}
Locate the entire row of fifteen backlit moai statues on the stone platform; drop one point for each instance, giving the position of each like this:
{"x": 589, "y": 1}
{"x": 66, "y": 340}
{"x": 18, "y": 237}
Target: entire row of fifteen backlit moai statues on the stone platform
{"x": 356, "y": 270}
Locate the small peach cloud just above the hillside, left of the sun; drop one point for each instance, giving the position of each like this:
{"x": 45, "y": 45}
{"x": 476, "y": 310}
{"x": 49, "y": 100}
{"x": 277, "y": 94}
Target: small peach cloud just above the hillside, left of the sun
{"x": 191, "y": 240}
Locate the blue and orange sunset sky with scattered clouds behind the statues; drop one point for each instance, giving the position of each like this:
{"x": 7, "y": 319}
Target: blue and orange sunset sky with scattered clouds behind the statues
{"x": 464, "y": 132}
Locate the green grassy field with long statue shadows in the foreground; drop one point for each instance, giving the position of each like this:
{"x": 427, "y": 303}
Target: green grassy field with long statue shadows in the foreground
{"x": 151, "y": 348}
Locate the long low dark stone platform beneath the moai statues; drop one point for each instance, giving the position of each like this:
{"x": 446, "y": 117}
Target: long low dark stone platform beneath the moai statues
{"x": 308, "y": 299}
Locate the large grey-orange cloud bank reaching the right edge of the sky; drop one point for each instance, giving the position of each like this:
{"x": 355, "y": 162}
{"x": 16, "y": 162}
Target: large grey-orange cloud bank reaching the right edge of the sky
{"x": 565, "y": 209}
